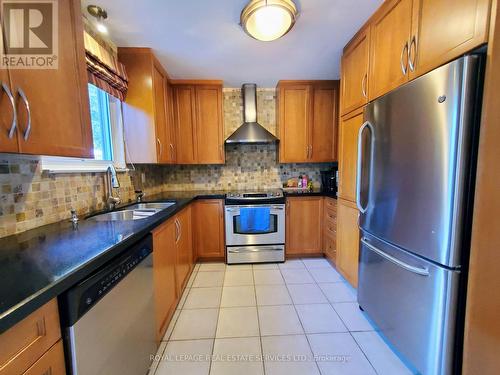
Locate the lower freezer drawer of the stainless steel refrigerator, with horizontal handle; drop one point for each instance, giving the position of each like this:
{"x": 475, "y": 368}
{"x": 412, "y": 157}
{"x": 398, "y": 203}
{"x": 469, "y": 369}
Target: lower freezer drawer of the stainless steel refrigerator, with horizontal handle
{"x": 413, "y": 303}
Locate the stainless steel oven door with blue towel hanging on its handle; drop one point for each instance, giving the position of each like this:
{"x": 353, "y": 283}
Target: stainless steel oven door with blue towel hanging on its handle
{"x": 258, "y": 224}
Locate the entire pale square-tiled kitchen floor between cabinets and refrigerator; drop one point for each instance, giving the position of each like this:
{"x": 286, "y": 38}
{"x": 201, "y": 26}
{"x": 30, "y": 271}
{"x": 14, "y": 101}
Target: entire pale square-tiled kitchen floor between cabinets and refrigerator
{"x": 299, "y": 317}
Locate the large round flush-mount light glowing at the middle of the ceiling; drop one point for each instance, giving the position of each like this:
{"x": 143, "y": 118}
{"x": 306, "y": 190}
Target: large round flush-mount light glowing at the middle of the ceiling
{"x": 268, "y": 20}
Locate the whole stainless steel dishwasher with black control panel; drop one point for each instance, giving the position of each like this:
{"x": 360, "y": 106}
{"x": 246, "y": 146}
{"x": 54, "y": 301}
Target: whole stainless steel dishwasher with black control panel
{"x": 109, "y": 317}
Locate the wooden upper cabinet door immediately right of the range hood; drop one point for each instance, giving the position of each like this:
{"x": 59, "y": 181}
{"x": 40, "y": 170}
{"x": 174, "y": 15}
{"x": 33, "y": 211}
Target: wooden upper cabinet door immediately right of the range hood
{"x": 294, "y": 105}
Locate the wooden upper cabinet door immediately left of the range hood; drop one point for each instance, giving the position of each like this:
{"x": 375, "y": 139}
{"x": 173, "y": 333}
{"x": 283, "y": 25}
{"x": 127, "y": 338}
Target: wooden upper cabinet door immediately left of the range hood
{"x": 209, "y": 125}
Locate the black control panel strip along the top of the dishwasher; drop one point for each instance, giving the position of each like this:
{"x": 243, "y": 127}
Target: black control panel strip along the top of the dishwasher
{"x": 80, "y": 298}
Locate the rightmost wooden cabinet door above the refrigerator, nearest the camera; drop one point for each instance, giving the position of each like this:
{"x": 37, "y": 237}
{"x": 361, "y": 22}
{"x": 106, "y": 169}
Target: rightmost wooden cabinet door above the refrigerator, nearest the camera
{"x": 445, "y": 29}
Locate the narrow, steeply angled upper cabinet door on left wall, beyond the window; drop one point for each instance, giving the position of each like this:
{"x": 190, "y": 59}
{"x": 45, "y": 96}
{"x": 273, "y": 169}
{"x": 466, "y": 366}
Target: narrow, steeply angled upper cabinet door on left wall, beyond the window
{"x": 159, "y": 103}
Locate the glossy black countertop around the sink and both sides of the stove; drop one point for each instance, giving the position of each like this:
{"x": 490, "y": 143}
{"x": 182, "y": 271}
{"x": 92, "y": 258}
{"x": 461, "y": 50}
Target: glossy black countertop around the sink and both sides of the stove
{"x": 38, "y": 265}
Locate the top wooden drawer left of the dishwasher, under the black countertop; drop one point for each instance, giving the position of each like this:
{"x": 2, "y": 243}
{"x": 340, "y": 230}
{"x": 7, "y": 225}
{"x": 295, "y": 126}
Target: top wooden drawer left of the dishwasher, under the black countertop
{"x": 23, "y": 344}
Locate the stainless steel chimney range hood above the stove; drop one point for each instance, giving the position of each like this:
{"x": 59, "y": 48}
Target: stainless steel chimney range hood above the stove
{"x": 250, "y": 131}
